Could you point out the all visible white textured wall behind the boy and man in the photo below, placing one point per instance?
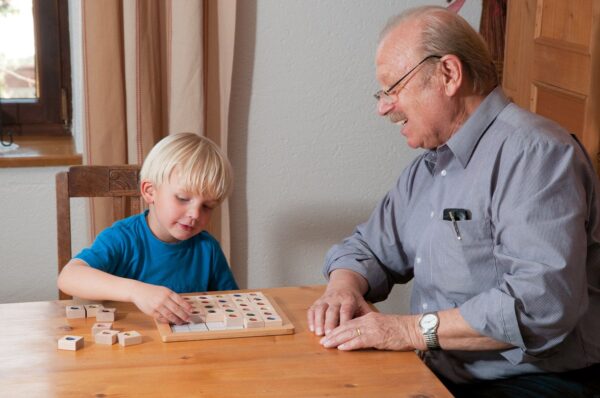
(310, 155)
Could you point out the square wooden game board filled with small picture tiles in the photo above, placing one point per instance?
(223, 316)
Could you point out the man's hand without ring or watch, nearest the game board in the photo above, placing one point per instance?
(342, 301)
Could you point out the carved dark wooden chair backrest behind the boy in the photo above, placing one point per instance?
(118, 182)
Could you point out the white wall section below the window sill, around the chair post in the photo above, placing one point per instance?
(28, 253)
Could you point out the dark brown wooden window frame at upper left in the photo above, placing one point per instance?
(50, 113)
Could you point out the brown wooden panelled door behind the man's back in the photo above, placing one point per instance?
(552, 64)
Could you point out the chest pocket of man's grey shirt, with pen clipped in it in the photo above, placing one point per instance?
(462, 267)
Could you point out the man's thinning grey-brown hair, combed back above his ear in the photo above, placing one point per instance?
(445, 32)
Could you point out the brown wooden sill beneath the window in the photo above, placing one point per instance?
(40, 151)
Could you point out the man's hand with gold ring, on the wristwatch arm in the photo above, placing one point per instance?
(375, 330)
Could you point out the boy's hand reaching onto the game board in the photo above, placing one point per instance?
(161, 303)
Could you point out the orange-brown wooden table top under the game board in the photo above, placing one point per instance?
(270, 366)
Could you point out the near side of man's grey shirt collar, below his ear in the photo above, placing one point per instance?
(463, 142)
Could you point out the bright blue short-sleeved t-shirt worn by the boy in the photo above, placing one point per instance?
(129, 249)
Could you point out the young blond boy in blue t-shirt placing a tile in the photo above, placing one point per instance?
(147, 258)
